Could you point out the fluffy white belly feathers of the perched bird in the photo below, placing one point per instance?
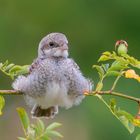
(56, 95)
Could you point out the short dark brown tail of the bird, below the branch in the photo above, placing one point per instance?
(50, 112)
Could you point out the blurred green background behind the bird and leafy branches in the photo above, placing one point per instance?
(92, 26)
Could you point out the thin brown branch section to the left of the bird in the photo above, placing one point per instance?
(10, 92)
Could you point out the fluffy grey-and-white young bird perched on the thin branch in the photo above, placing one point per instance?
(54, 79)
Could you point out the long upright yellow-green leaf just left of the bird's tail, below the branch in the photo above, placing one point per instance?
(24, 118)
